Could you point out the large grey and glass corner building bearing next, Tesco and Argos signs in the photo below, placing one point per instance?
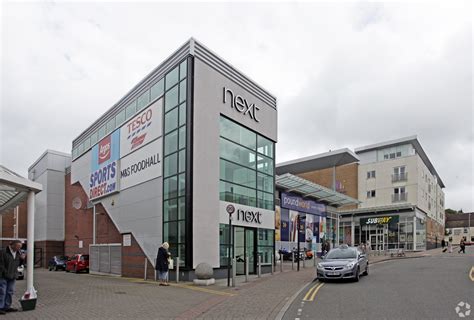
(189, 145)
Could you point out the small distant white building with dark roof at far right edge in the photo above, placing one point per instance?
(460, 226)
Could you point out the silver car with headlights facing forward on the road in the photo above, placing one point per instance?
(343, 262)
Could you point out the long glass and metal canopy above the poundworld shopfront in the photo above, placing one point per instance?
(292, 183)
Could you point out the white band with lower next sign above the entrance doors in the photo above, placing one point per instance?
(246, 216)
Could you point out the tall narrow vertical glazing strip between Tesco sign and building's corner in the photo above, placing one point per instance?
(174, 160)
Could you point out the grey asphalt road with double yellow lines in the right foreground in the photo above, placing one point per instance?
(418, 288)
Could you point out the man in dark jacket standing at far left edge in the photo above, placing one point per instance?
(10, 259)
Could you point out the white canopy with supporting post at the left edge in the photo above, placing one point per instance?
(13, 190)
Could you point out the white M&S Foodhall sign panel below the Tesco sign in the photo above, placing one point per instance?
(142, 165)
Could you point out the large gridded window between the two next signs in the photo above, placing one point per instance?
(246, 166)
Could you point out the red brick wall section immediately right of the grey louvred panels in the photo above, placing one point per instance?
(133, 262)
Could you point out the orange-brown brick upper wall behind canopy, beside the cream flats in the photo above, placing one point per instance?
(346, 176)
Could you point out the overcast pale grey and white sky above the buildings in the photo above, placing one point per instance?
(346, 74)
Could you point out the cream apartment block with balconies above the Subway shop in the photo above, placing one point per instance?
(402, 198)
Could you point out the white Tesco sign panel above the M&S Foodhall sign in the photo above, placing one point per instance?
(143, 128)
